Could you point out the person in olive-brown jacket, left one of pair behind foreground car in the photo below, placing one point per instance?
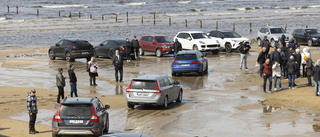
(60, 81)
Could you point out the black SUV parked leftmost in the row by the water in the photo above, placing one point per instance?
(71, 49)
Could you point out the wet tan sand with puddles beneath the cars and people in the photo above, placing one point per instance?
(226, 102)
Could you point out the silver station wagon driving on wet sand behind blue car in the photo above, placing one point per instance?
(157, 90)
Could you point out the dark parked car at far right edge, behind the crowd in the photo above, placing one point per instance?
(307, 36)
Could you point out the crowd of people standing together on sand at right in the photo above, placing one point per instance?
(286, 61)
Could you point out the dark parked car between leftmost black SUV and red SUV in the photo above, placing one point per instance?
(108, 48)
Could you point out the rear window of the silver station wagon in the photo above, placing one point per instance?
(143, 84)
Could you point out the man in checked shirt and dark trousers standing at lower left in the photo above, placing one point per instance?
(32, 111)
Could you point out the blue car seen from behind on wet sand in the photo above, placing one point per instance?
(189, 61)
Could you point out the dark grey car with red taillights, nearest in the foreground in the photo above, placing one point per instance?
(80, 116)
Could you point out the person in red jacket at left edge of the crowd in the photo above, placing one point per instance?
(267, 71)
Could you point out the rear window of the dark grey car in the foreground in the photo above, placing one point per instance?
(76, 110)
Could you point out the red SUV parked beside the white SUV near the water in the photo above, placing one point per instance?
(160, 45)
